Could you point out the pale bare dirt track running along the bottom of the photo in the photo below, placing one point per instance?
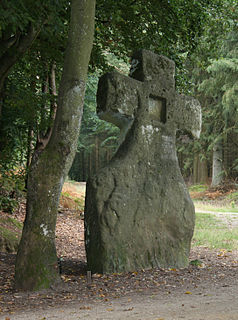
(204, 303)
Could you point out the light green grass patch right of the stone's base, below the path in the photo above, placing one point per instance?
(213, 233)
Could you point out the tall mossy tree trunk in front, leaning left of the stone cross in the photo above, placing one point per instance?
(36, 263)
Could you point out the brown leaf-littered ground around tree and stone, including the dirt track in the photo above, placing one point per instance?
(207, 291)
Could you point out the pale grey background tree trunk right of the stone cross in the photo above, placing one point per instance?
(217, 164)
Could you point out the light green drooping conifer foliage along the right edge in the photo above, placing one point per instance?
(220, 88)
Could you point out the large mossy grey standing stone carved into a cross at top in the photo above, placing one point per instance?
(138, 211)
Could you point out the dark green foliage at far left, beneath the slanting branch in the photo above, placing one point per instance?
(26, 110)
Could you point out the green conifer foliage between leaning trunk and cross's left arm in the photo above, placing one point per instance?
(96, 137)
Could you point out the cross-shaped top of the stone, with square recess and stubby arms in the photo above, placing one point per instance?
(151, 84)
